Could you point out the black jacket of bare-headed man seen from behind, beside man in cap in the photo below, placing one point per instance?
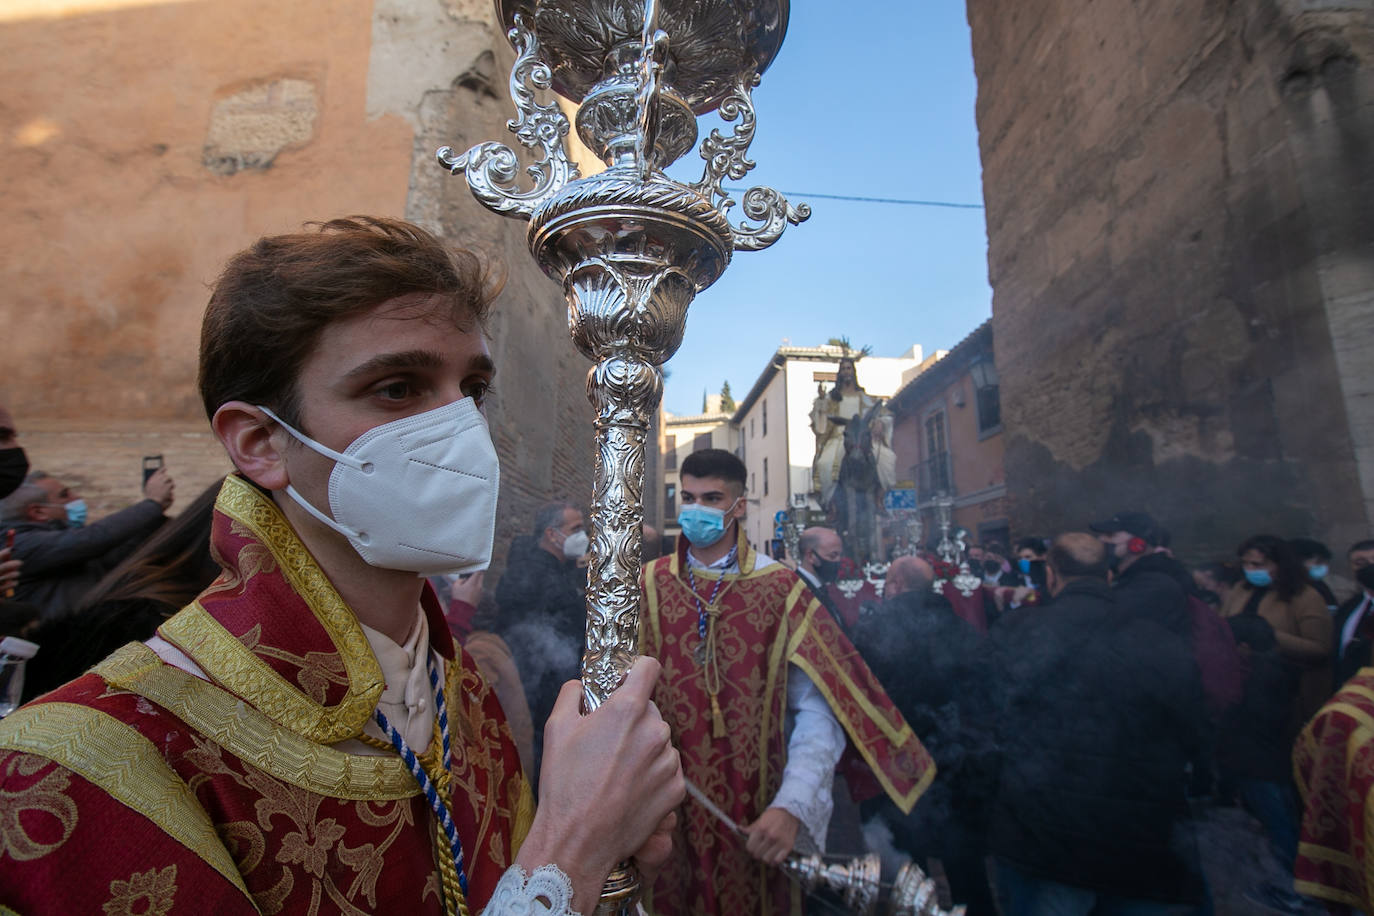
(1100, 716)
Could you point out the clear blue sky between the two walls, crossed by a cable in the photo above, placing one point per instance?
(875, 105)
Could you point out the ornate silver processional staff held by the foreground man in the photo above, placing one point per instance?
(630, 245)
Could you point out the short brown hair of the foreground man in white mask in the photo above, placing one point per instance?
(274, 300)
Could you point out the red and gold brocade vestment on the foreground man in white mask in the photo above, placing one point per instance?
(144, 789)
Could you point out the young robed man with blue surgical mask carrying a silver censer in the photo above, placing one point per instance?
(745, 649)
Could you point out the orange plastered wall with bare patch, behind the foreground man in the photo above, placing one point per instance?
(144, 145)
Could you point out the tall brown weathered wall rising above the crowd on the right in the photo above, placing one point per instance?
(1181, 259)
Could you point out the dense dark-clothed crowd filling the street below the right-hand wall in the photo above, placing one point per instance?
(1094, 700)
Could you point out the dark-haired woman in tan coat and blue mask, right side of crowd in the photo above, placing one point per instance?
(1277, 587)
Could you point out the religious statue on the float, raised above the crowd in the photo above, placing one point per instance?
(855, 463)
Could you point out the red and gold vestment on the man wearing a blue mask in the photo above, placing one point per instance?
(765, 621)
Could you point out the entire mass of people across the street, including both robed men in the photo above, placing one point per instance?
(313, 676)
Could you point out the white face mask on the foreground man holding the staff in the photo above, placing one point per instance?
(417, 494)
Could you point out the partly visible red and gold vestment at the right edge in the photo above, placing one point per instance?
(1333, 764)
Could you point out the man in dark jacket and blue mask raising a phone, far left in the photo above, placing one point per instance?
(63, 556)
